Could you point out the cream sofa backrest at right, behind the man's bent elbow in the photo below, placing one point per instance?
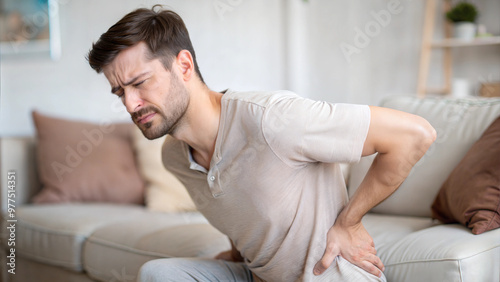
(459, 123)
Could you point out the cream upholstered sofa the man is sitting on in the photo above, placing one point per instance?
(90, 241)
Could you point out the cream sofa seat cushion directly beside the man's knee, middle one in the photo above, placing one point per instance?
(119, 250)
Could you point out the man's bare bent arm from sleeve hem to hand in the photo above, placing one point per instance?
(400, 139)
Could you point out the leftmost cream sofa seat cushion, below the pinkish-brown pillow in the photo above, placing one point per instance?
(54, 234)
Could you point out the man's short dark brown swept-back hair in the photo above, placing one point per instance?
(163, 31)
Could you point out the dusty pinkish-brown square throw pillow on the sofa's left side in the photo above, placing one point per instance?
(84, 162)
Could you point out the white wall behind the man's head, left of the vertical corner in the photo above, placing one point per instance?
(246, 38)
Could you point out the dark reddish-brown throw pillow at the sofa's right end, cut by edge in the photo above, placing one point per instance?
(471, 194)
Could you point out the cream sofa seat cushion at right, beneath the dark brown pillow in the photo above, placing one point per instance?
(413, 249)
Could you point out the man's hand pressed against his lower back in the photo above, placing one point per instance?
(352, 243)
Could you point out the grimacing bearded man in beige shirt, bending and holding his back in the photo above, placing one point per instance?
(262, 167)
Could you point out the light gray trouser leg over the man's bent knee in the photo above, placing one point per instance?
(193, 269)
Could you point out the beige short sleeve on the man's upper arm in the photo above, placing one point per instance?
(300, 130)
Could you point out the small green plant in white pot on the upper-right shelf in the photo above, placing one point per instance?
(463, 15)
